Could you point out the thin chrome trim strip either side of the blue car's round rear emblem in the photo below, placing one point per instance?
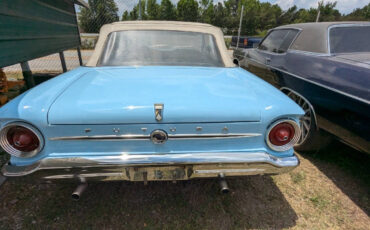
(147, 137)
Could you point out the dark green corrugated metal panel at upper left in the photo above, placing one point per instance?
(33, 29)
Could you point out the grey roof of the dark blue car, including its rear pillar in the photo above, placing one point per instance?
(314, 36)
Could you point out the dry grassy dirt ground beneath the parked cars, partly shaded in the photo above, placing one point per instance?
(329, 190)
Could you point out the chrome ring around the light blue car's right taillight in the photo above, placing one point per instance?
(291, 143)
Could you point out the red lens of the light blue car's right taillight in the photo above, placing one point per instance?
(281, 134)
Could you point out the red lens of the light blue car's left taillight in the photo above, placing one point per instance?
(22, 139)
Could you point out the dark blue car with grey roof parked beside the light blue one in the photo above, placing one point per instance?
(325, 68)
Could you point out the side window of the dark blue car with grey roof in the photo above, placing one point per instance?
(278, 41)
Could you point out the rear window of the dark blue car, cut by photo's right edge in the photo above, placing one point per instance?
(349, 39)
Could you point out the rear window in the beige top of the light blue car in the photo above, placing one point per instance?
(161, 48)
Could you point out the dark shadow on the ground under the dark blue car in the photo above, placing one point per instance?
(353, 176)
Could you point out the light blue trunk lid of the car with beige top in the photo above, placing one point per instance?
(119, 95)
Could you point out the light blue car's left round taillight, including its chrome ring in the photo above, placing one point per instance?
(21, 139)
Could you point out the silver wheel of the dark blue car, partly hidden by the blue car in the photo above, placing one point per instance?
(306, 118)
